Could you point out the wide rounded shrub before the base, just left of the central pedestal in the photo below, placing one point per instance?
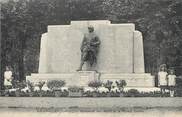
(55, 84)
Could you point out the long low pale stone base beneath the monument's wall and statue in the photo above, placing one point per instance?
(82, 78)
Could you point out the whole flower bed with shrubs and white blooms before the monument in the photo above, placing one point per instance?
(55, 88)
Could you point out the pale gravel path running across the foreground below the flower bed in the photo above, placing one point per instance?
(89, 103)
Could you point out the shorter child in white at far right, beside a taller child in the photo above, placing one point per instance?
(171, 82)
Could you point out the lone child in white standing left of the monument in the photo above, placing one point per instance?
(8, 77)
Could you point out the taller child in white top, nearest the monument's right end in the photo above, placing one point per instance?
(162, 78)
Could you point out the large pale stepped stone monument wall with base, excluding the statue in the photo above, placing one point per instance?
(120, 54)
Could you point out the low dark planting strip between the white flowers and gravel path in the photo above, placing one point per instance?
(58, 93)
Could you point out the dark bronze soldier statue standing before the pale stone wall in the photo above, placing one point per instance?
(89, 48)
